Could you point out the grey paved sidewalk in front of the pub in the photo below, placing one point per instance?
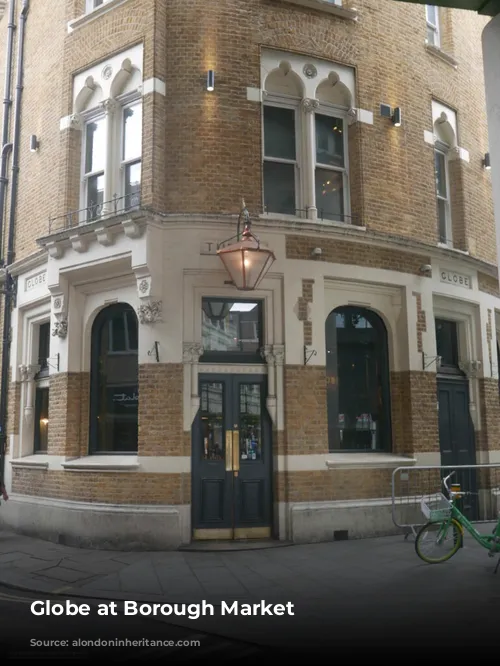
(339, 585)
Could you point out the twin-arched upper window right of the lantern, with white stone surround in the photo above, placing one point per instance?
(305, 147)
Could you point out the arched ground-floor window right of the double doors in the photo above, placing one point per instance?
(357, 369)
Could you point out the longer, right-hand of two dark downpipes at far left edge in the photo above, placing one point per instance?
(10, 282)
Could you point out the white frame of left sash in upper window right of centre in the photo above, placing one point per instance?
(293, 103)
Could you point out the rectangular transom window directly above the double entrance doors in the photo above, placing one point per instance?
(231, 327)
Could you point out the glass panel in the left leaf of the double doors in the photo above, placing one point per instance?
(212, 421)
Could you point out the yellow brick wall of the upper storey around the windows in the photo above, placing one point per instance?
(202, 152)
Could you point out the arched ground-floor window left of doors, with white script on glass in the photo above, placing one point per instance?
(114, 394)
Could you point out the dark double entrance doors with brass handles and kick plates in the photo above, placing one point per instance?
(231, 449)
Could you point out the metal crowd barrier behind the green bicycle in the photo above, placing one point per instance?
(410, 484)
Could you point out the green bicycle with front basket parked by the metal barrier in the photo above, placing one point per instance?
(446, 526)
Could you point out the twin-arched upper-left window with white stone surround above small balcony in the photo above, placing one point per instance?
(107, 107)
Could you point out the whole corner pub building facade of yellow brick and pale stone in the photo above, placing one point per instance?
(151, 403)
